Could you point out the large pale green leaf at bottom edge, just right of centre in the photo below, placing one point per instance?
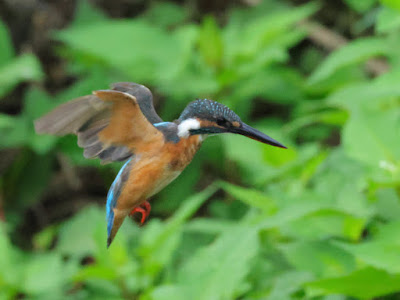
(225, 263)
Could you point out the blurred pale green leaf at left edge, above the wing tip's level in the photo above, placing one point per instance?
(23, 68)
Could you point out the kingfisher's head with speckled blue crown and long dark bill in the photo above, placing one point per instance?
(209, 117)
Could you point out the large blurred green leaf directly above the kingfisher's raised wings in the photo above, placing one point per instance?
(132, 47)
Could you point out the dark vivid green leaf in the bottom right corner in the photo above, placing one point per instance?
(365, 284)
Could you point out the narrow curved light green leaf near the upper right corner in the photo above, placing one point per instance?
(353, 53)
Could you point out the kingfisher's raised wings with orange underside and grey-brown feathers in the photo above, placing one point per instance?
(111, 124)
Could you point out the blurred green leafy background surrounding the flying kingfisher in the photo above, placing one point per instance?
(320, 220)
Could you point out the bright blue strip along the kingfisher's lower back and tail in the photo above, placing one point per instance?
(113, 195)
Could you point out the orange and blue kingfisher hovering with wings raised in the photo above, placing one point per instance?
(120, 124)
